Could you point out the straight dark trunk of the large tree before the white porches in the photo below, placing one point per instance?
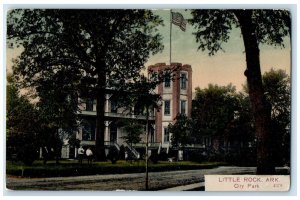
(100, 127)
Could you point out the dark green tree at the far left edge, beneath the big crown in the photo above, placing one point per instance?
(21, 125)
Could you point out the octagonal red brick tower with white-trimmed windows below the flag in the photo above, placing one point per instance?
(176, 94)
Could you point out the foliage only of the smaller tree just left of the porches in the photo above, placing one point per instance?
(58, 105)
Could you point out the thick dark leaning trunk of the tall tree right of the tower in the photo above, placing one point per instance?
(261, 109)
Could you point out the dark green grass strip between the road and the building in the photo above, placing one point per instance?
(73, 168)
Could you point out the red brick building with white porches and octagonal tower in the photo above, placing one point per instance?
(176, 94)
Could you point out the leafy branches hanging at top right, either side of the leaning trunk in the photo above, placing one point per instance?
(214, 27)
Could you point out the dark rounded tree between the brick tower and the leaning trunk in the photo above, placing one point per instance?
(223, 122)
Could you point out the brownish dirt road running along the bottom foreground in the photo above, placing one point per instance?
(135, 182)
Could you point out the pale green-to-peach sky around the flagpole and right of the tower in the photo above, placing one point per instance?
(222, 68)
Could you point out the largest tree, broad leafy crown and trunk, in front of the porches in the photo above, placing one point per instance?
(96, 49)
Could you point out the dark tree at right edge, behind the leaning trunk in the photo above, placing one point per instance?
(278, 94)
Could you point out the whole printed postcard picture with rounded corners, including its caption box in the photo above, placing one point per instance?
(148, 99)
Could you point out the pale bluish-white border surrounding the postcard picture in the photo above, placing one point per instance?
(7, 4)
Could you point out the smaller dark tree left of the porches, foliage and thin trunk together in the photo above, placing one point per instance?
(58, 108)
